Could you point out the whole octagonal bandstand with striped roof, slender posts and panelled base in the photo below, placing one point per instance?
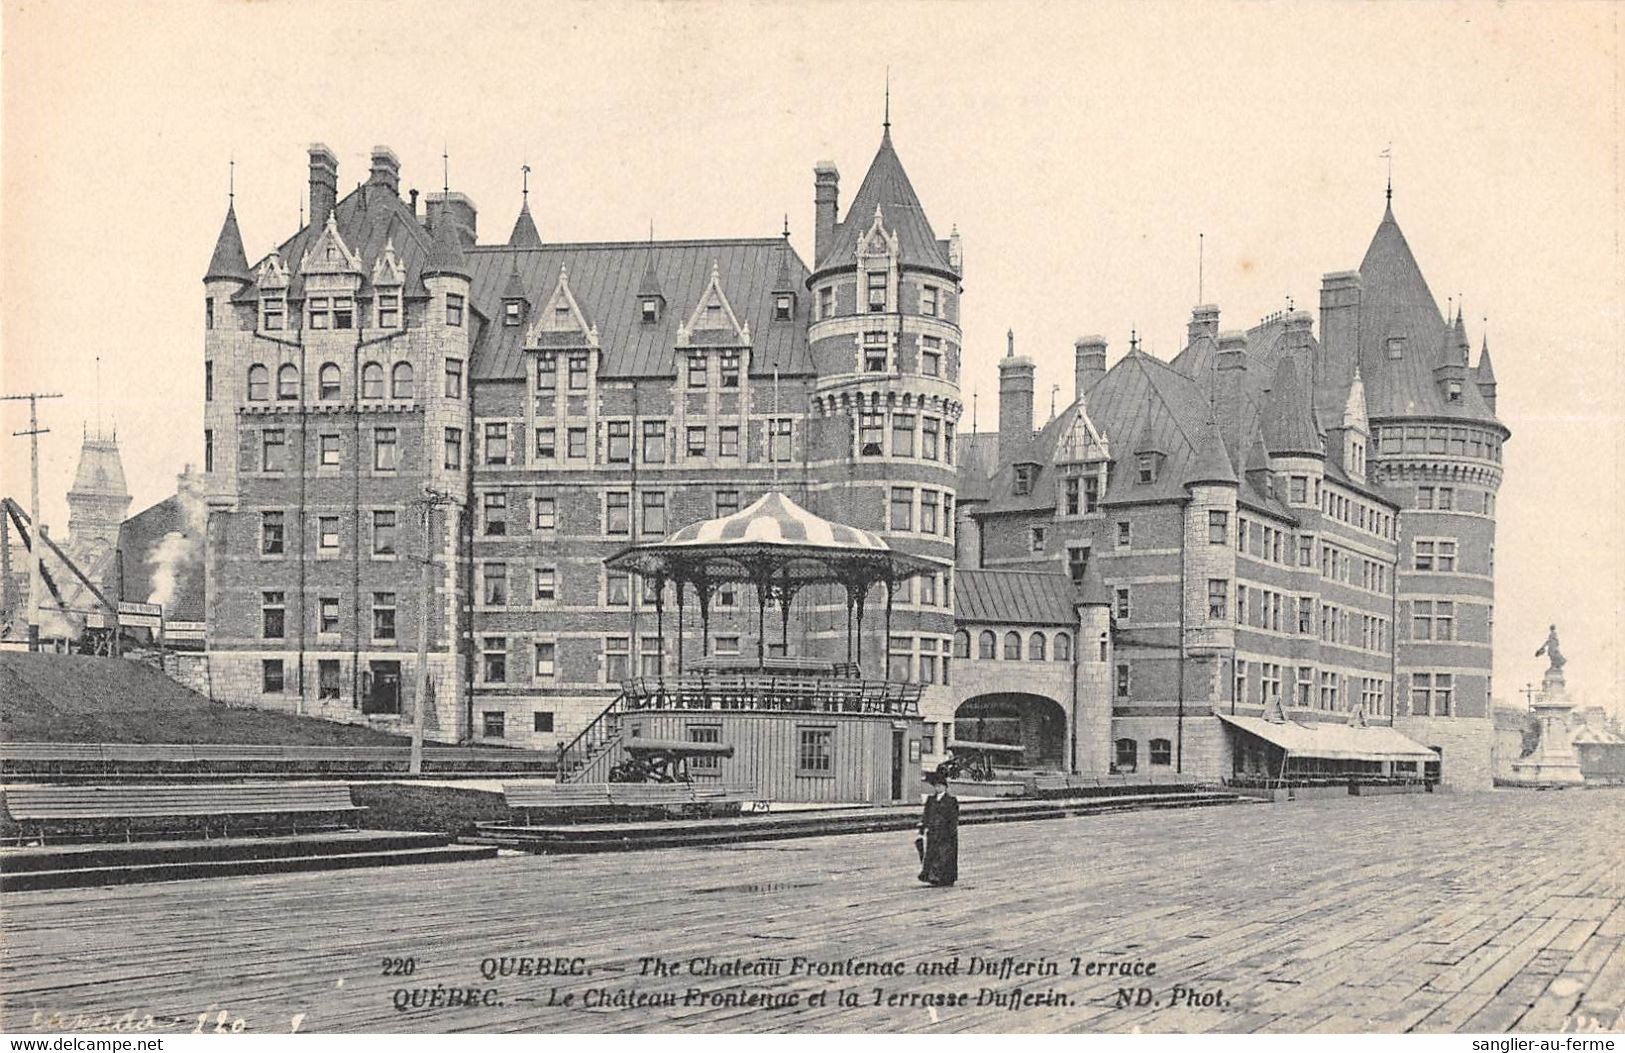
(800, 727)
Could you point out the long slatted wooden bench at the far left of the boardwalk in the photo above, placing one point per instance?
(149, 805)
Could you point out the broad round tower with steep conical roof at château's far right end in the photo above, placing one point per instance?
(1436, 446)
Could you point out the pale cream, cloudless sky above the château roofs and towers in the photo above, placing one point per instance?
(1080, 149)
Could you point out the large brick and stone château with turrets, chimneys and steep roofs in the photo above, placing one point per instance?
(1268, 524)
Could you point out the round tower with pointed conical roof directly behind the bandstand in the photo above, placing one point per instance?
(886, 345)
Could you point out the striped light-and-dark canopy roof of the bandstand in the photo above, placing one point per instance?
(773, 540)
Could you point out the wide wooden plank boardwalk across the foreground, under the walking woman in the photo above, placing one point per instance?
(1489, 912)
